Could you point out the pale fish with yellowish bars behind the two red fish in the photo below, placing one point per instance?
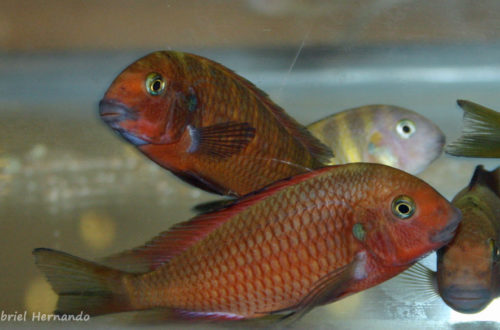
(384, 134)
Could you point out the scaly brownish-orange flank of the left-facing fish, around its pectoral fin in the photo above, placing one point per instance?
(234, 93)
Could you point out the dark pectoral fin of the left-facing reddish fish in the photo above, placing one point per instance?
(221, 140)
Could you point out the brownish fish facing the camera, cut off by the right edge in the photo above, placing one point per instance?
(468, 268)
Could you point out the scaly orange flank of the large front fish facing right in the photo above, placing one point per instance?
(225, 252)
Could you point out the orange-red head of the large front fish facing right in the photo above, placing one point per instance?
(404, 219)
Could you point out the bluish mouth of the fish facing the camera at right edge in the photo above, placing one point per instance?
(468, 300)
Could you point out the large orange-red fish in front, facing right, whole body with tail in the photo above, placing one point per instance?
(299, 243)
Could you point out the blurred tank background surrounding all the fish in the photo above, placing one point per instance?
(67, 182)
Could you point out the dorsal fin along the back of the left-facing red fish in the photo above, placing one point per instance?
(320, 152)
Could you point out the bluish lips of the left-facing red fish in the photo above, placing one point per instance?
(113, 113)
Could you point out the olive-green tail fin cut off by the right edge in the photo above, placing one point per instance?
(480, 134)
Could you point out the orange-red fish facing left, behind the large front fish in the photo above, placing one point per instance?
(208, 125)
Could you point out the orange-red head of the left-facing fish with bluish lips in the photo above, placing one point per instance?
(148, 103)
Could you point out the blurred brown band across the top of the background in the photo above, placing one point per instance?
(59, 25)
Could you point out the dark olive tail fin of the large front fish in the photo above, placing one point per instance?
(82, 286)
